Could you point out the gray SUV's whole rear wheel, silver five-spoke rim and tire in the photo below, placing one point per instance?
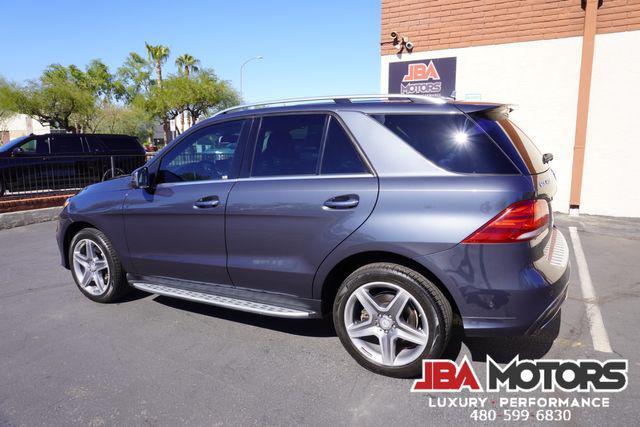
(389, 318)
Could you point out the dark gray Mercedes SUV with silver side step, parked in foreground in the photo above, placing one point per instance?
(389, 214)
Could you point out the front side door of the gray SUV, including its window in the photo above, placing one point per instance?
(177, 230)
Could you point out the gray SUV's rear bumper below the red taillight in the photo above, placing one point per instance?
(505, 289)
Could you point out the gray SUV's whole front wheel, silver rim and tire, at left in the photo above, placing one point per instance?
(96, 268)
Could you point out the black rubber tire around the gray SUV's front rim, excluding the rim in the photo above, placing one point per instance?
(116, 286)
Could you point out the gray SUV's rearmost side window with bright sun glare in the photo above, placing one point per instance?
(451, 141)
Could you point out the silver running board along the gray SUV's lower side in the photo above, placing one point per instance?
(220, 301)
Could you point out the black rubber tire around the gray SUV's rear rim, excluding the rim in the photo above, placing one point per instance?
(438, 314)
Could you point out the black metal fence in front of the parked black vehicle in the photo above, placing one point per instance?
(30, 176)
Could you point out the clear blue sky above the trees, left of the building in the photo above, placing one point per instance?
(320, 47)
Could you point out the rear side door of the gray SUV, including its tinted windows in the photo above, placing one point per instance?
(305, 188)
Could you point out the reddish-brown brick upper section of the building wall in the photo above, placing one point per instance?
(444, 24)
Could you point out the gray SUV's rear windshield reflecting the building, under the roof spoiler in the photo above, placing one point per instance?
(515, 143)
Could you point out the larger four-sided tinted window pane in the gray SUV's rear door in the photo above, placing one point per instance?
(288, 145)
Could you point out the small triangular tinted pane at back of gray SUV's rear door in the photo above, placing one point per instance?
(340, 156)
